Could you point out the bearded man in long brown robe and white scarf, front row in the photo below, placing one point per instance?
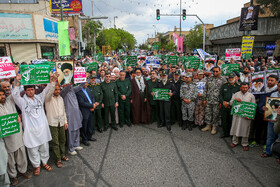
(139, 99)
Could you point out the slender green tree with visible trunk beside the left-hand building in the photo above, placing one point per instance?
(91, 29)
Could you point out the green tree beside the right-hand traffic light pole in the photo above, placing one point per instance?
(194, 39)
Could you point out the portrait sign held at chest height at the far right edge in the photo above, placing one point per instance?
(272, 104)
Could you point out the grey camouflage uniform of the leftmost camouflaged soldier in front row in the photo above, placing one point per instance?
(188, 91)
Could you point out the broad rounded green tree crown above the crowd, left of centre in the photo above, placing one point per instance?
(116, 38)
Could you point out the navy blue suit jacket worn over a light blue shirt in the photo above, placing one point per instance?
(84, 103)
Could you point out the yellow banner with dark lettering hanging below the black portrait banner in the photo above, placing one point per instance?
(247, 47)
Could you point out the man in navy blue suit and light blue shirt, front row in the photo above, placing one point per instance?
(87, 105)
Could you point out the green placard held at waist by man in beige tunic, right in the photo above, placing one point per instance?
(244, 109)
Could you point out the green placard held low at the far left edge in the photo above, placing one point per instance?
(9, 125)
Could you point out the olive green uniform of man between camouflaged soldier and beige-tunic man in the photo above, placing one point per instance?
(226, 92)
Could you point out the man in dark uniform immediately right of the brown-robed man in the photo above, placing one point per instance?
(152, 83)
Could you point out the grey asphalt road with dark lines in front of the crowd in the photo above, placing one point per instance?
(145, 155)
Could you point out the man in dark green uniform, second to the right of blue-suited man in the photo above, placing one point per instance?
(110, 101)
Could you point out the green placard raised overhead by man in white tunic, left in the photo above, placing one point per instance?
(34, 74)
